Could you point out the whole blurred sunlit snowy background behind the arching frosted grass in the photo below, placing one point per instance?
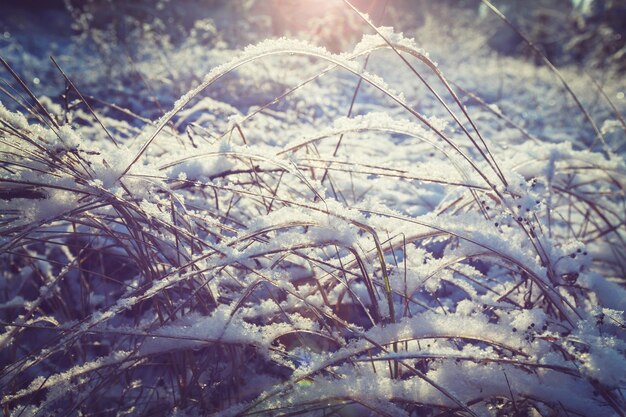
(143, 55)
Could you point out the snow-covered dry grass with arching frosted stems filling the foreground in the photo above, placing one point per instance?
(388, 263)
